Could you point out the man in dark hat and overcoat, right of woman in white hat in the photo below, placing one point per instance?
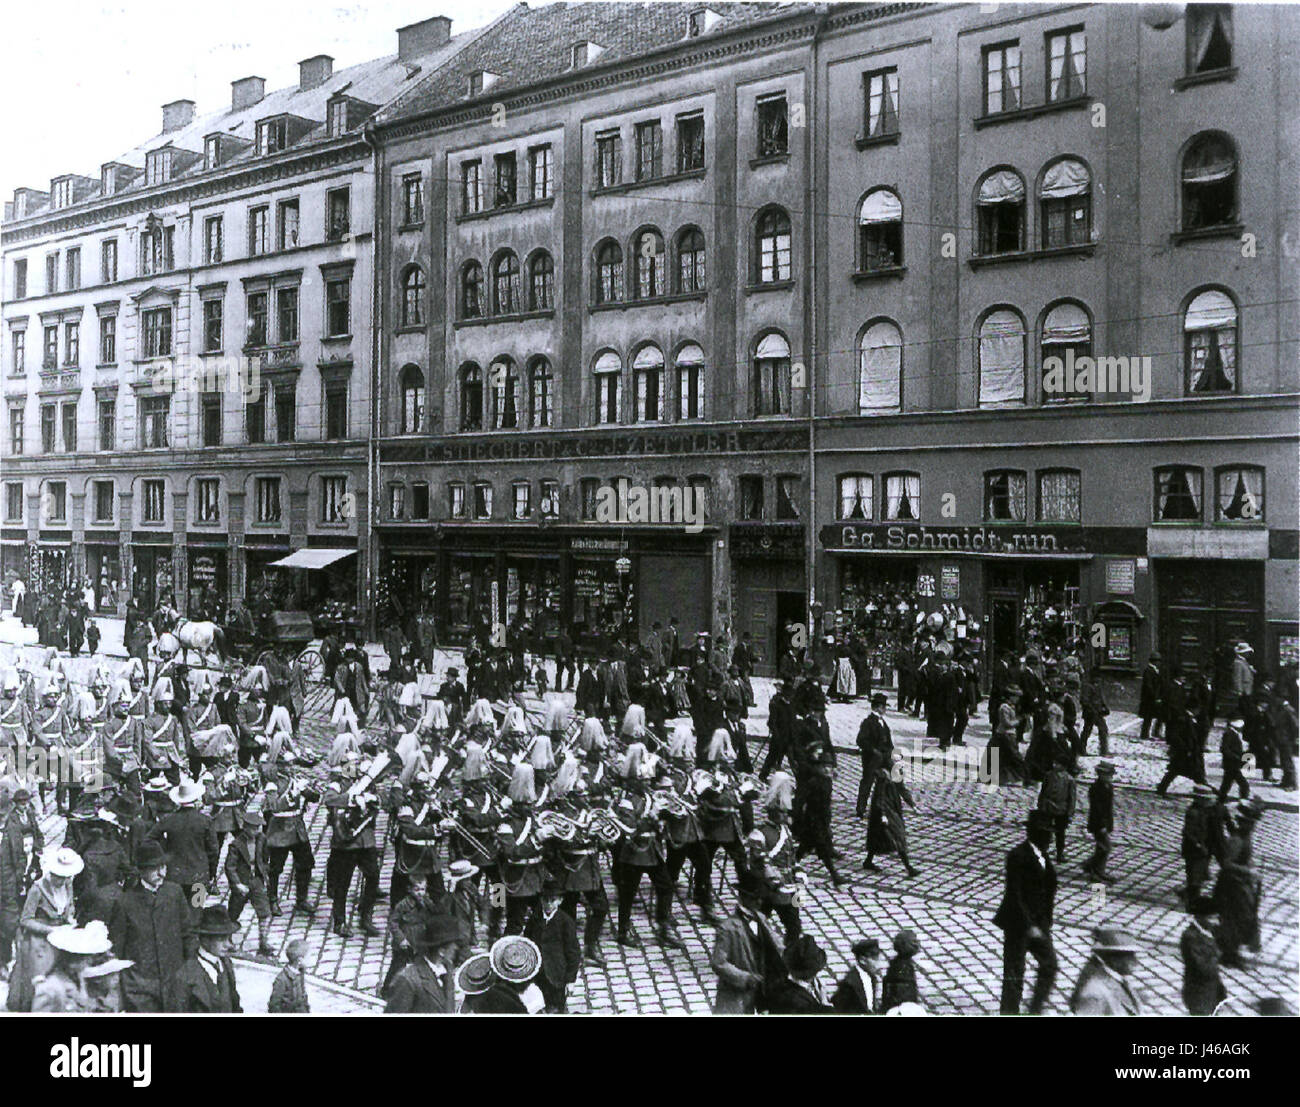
(153, 926)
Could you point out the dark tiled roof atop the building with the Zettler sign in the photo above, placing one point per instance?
(532, 45)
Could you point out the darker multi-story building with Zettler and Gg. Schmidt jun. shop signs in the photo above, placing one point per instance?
(816, 262)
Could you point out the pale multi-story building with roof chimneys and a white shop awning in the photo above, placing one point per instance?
(188, 349)
